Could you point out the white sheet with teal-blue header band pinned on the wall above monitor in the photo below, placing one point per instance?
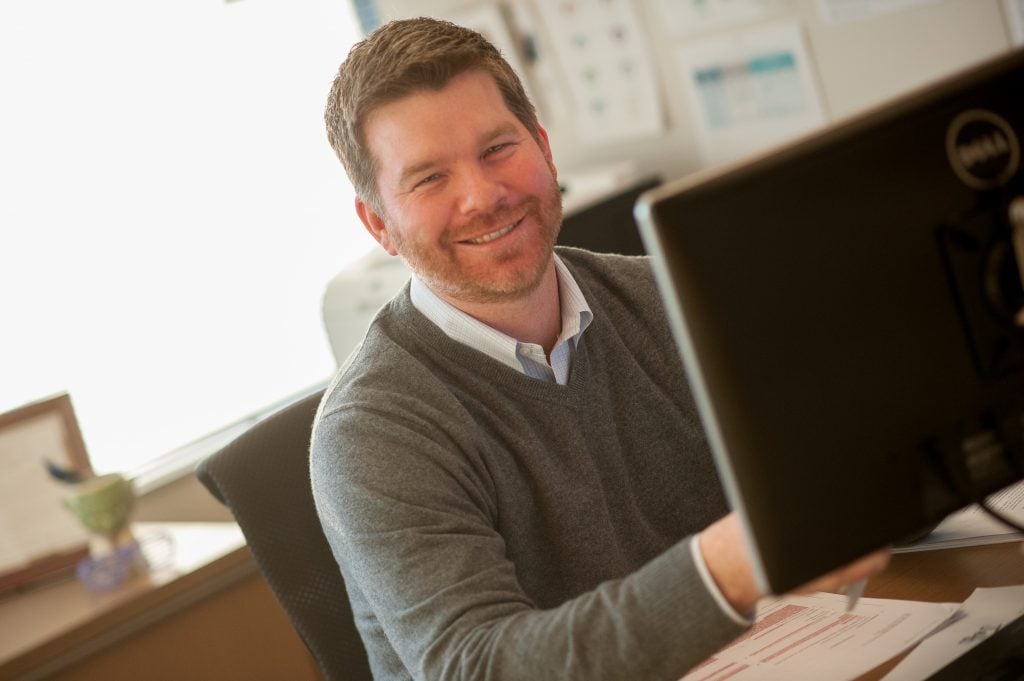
(749, 91)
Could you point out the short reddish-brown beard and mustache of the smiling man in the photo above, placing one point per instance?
(508, 274)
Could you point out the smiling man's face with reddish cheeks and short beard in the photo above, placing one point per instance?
(471, 199)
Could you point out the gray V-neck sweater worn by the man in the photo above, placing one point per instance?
(491, 526)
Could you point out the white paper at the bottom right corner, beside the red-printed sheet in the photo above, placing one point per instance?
(980, 617)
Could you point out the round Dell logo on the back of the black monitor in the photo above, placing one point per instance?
(984, 150)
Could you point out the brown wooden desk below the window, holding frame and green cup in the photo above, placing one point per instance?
(206, 615)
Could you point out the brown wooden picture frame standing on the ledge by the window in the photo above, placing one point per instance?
(38, 536)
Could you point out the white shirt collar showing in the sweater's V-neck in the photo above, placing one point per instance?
(527, 358)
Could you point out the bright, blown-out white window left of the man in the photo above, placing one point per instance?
(172, 212)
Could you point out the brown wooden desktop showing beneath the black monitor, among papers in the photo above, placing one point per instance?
(946, 576)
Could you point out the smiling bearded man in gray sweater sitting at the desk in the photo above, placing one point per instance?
(510, 470)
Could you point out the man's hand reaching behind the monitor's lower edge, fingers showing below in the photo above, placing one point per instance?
(726, 556)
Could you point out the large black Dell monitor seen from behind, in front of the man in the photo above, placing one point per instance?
(849, 312)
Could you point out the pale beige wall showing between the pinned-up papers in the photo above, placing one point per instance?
(859, 64)
